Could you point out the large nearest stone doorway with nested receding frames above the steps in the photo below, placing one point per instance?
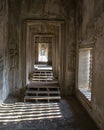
(48, 32)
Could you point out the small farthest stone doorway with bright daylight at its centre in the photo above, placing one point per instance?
(42, 53)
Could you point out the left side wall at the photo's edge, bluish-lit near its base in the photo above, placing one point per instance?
(4, 89)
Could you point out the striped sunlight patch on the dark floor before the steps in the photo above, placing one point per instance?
(25, 111)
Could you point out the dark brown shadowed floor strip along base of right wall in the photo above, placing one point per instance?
(82, 119)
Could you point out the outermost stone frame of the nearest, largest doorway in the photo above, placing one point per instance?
(27, 34)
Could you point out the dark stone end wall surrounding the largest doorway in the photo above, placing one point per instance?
(22, 10)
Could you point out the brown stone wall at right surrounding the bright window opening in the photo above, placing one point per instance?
(90, 32)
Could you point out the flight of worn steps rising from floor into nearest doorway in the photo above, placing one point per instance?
(42, 87)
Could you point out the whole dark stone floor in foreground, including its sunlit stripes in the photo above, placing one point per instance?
(66, 115)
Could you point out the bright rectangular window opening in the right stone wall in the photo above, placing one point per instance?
(85, 72)
